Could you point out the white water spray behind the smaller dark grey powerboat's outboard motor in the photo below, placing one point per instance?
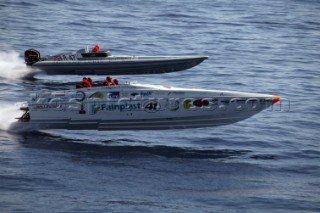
(12, 66)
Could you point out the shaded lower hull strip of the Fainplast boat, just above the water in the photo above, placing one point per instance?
(137, 124)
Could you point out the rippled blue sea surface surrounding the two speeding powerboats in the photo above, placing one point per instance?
(267, 163)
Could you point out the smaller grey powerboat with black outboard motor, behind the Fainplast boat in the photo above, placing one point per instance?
(101, 62)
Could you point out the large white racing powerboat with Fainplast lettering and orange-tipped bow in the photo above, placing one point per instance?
(139, 107)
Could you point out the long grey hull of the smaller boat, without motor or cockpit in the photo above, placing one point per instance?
(118, 66)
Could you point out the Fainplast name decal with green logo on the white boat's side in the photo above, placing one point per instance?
(115, 107)
